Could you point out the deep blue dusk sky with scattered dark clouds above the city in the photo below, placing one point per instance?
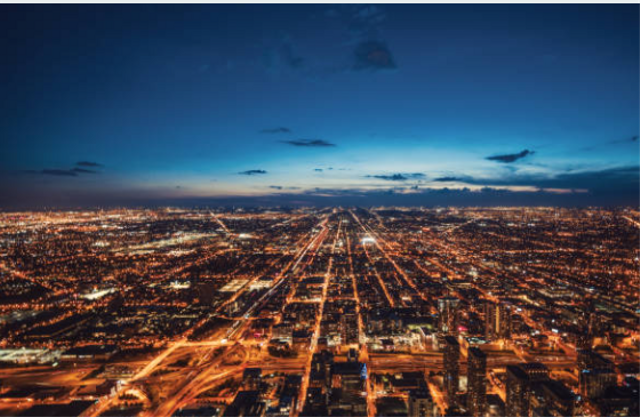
(281, 104)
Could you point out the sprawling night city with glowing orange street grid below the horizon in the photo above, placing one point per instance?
(320, 312)
